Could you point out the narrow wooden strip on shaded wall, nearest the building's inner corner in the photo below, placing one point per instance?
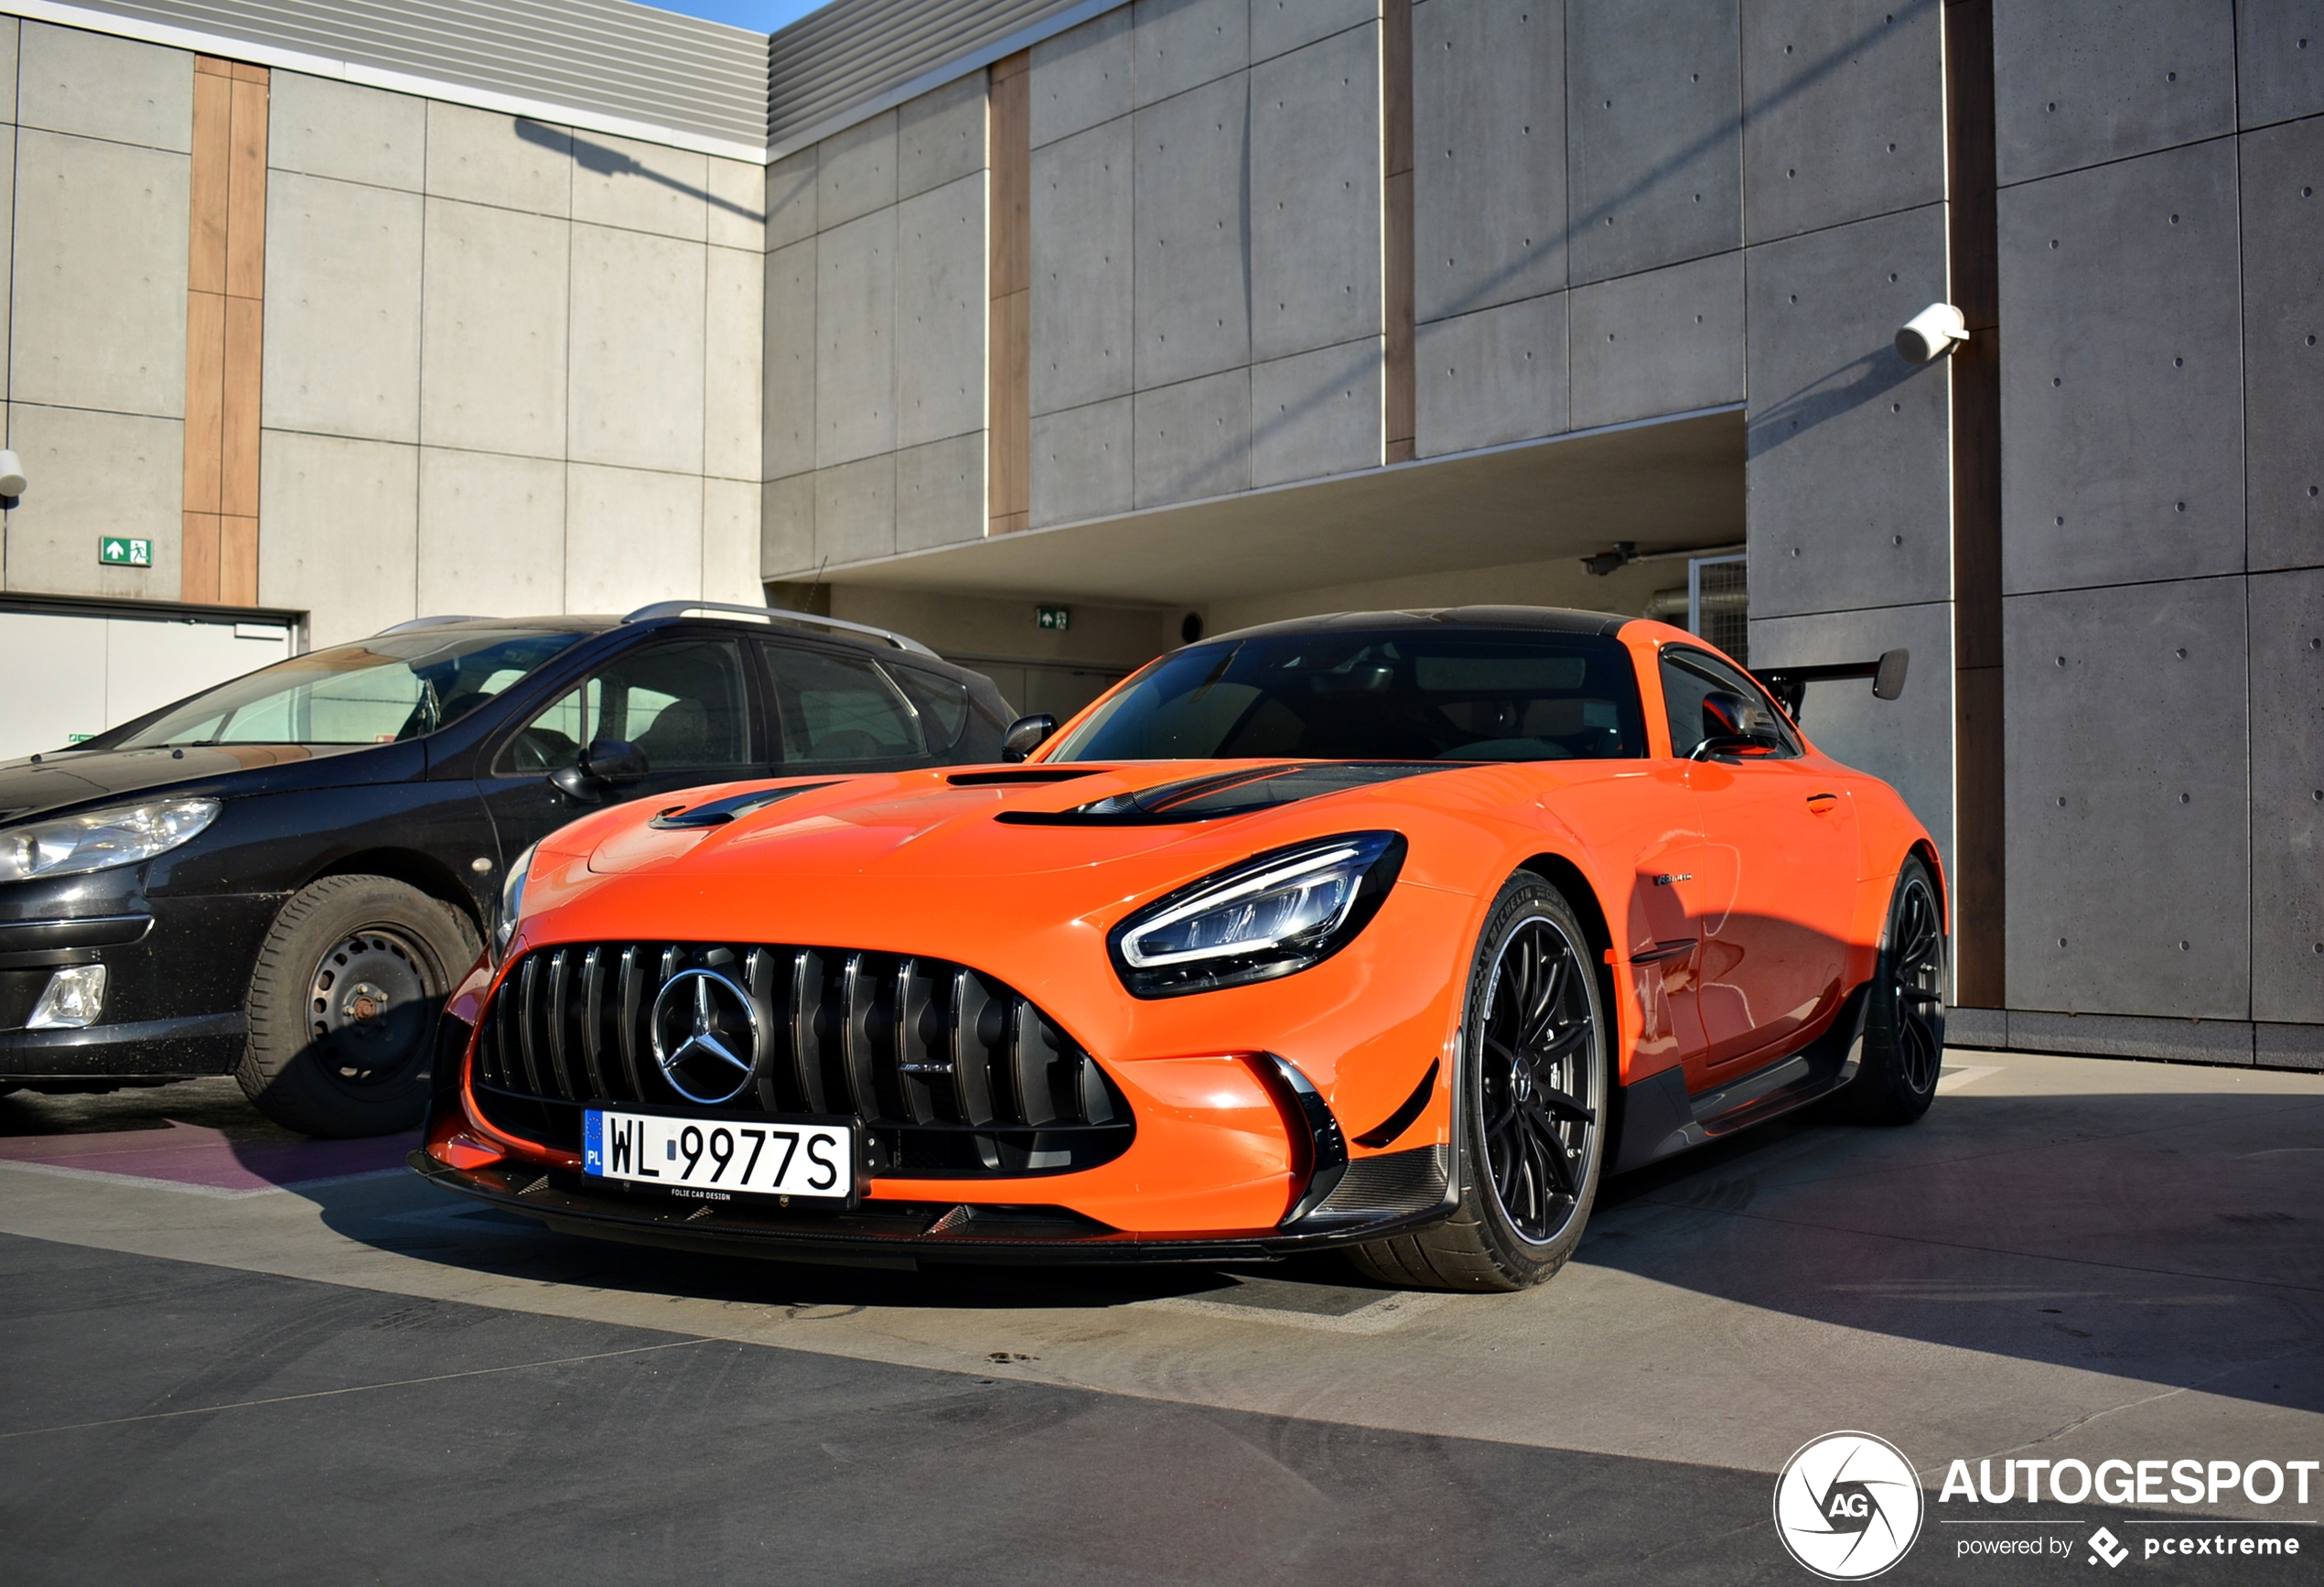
(1010, 329)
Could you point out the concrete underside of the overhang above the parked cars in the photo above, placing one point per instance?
(1667, 484)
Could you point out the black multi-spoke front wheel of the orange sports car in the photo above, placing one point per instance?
(1530, 1096)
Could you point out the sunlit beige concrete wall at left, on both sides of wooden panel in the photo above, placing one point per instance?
(508, 368)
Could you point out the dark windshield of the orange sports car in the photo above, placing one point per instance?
(1377, 696)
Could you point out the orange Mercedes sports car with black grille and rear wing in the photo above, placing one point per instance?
(1386, 933)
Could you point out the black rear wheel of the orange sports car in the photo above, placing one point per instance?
(1905, 1012)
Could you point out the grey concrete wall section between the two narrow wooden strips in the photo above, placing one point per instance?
(1205, 254)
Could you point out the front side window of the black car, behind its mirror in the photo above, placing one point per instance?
(682, 705)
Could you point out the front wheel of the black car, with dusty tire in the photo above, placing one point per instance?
(345, 1003)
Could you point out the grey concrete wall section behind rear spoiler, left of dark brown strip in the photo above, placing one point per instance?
(1849, 459)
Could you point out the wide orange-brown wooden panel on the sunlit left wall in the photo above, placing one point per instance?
(227, 280)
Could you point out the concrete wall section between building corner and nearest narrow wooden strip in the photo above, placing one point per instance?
(875, 333)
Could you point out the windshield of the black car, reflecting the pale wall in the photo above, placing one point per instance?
(380, 691)
